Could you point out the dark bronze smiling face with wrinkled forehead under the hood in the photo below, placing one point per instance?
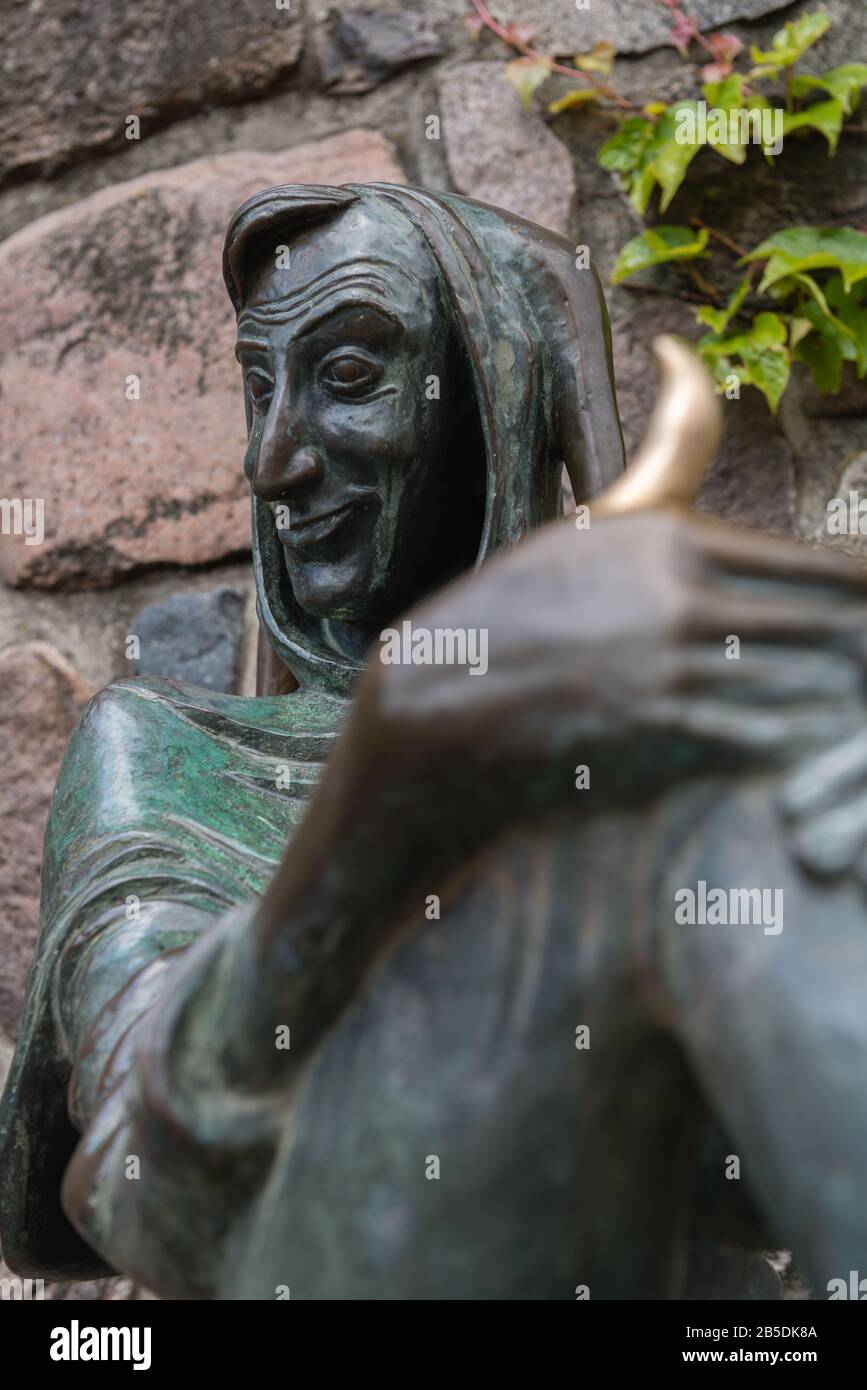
(352, 443)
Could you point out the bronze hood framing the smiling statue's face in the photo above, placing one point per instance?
(537, 336)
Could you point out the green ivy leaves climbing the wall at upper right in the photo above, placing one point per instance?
(804, 291)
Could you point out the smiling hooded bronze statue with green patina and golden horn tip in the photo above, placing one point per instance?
(431, 1027)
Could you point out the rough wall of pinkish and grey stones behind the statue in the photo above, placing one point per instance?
(120, 398)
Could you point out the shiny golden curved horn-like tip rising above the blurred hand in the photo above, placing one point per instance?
(680, 443)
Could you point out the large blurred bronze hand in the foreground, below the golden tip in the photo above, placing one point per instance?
(661, 643)
